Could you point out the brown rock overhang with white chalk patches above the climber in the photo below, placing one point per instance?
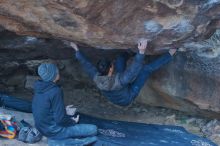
(114, 24)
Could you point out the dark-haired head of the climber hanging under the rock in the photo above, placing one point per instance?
(105, 67)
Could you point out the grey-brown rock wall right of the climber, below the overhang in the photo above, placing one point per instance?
(189, 83)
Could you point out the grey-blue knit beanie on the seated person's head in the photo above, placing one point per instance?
(48, 71)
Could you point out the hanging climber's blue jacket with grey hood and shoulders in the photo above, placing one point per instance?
(115, 87)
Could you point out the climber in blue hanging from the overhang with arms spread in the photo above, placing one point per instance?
(121, 84)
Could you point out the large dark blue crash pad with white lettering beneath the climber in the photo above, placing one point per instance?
(120, 133)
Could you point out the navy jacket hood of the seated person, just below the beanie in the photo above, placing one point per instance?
(42, 86)
